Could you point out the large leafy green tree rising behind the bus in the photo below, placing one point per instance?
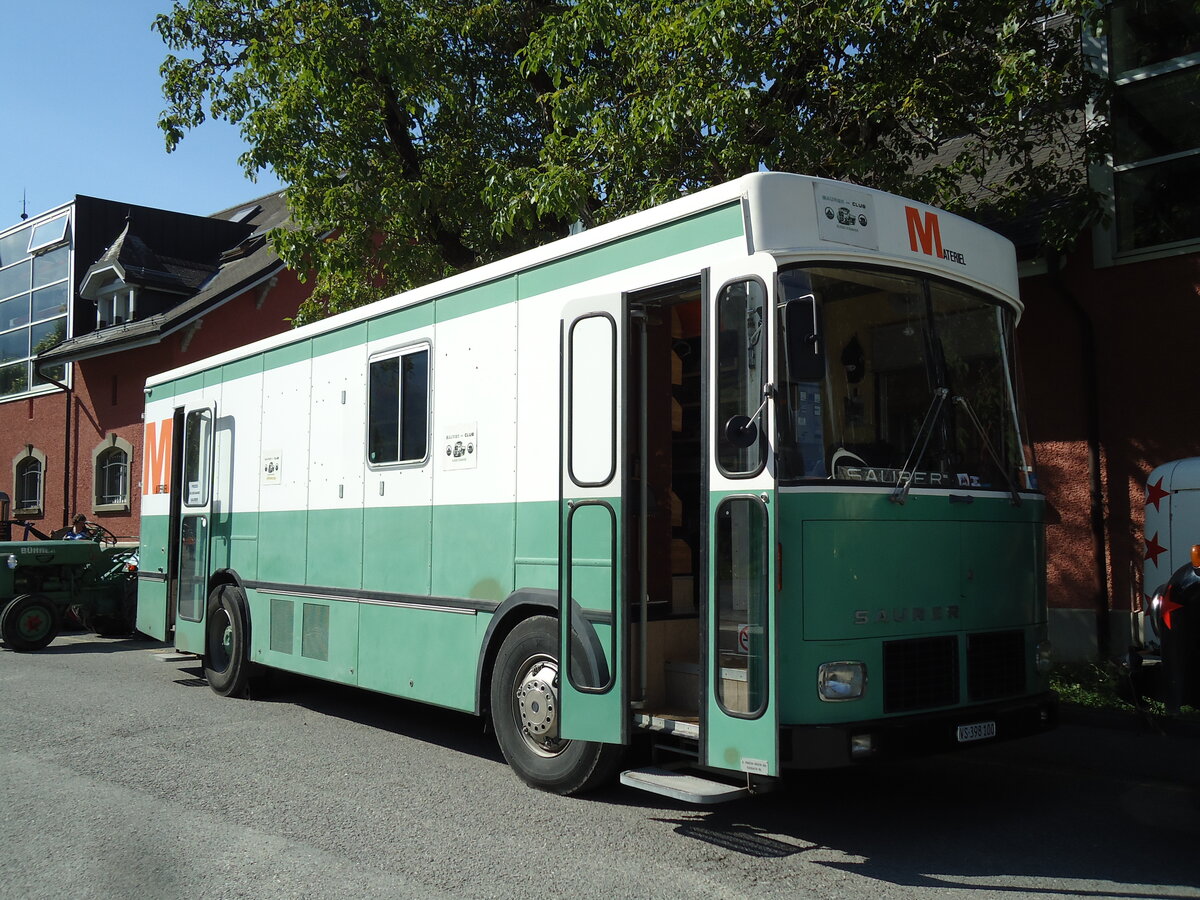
(422, 139)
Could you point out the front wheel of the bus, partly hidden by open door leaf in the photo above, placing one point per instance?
(525, 715)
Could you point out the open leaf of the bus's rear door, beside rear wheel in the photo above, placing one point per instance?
(190, 566)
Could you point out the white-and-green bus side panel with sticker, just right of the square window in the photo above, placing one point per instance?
(475, 493)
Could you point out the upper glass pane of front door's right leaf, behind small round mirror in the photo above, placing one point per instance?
(741, 371)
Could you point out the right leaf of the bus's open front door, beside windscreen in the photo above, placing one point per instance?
(740, 721)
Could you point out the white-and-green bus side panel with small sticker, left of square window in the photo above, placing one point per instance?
(284, 459)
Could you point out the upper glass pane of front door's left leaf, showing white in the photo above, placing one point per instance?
(593, 394)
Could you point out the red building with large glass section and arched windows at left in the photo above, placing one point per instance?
(94, 297)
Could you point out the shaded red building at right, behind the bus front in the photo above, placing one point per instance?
(1109, 332)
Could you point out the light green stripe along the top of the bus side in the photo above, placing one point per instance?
(681, 237)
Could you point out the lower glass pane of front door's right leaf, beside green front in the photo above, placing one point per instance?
(741, 591)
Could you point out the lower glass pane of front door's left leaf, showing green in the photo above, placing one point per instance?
(591, 530)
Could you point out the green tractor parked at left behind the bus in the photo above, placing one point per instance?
(49, 580)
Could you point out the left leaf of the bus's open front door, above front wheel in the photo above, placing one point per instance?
(593, 633)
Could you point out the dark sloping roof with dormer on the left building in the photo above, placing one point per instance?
(239, 262)
